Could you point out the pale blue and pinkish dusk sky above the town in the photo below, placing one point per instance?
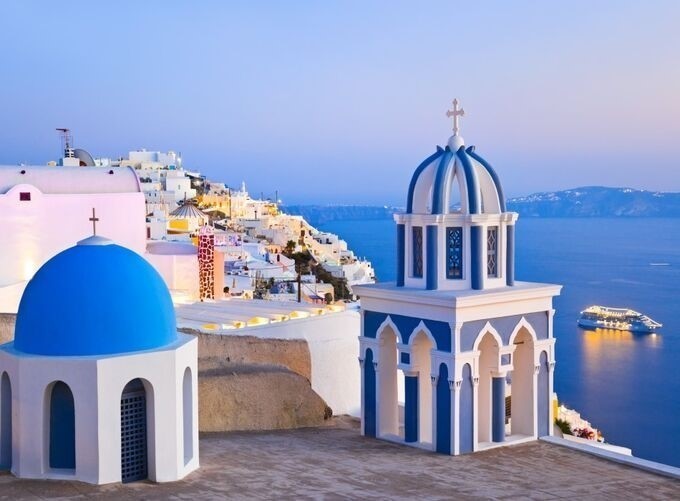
(338, 102)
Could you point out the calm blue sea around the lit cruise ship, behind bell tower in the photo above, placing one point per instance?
(627, 385)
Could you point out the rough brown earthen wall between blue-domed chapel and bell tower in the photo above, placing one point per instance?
(250, 383)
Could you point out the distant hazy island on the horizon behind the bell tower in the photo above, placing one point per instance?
(589, 201)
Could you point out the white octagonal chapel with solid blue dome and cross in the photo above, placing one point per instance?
(98, 385)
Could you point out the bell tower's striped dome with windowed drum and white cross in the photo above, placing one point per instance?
(456, 233)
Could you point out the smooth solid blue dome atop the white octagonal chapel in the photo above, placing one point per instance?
(96, 298)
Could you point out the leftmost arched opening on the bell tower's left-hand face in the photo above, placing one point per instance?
(388, 405)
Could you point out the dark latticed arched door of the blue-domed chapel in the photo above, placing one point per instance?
(133, 432)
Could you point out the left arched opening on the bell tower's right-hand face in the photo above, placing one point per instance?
(488, 363)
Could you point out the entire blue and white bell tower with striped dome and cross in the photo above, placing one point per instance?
(456, 356)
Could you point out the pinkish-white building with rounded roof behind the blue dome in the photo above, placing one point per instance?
(46, 209)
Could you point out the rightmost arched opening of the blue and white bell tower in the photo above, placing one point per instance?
(522, 410)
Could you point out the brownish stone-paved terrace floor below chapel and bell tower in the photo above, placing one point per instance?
(335, 462)
